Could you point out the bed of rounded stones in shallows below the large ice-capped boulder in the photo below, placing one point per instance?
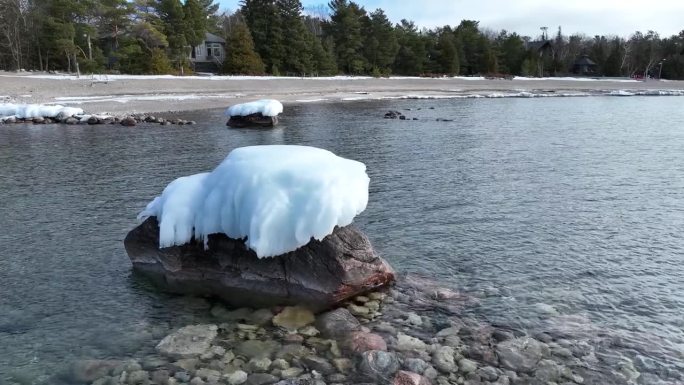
(408, 334)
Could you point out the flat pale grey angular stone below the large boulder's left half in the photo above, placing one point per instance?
(188, 341)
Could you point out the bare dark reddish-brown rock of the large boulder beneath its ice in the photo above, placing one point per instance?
(318, 275)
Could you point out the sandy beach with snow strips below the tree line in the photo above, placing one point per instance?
(121, 94)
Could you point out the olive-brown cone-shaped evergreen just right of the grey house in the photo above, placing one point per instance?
(241, 58)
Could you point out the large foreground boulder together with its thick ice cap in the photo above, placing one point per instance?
(209, 233)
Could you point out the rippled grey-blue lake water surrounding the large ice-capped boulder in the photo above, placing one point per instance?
(559, 215)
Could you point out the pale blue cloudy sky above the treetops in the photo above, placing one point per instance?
(592, 17)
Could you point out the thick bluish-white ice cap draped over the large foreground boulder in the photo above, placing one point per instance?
(278, 197)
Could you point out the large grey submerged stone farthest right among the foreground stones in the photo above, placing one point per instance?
(520, 354)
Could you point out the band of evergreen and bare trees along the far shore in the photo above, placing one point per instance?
(279, 37)
